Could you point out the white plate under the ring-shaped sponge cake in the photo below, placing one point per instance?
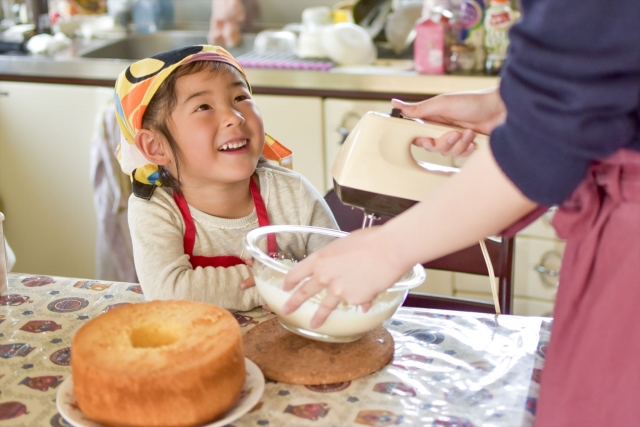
(250, 395)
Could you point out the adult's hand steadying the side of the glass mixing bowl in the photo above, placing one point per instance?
(354, 269)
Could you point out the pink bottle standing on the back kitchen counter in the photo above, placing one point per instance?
(428, 47)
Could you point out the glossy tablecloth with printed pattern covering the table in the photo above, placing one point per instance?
(449, 369)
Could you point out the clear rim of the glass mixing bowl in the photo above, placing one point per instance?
(251, 238)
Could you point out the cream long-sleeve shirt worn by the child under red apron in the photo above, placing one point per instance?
(157, 230)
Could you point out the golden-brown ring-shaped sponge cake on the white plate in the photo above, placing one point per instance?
(159, 363)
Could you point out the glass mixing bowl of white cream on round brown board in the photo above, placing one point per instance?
(347, 322)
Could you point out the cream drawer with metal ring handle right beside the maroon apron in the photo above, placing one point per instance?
(536, 267)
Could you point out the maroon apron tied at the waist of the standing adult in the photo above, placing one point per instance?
(591, 375)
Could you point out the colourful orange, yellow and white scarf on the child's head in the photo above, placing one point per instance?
(136, 86)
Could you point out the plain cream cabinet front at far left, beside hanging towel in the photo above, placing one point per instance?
(45, 139)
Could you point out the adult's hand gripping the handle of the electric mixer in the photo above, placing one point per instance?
(475, 111)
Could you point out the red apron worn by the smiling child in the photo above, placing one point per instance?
(224, 260)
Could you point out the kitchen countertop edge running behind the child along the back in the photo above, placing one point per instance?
(69, 67)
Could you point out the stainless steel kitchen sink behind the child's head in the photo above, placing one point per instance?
(139, 46)
